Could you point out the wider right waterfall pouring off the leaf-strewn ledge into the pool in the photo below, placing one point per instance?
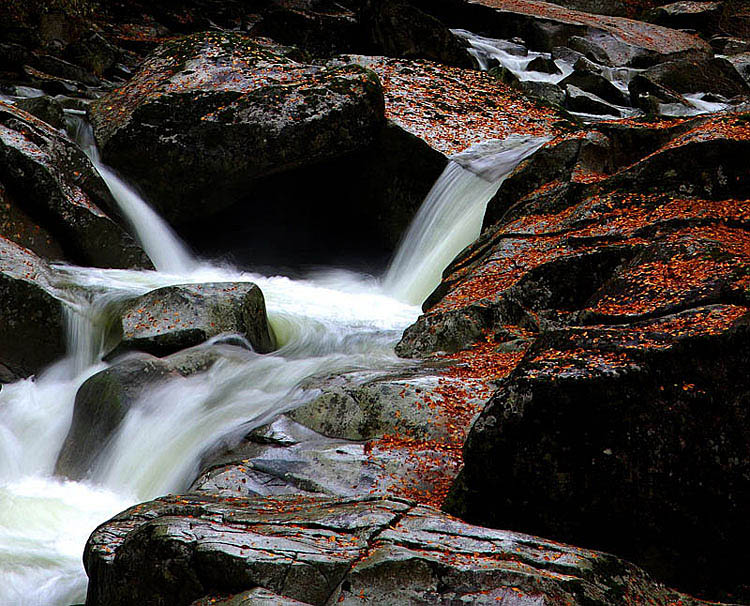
(451, 216)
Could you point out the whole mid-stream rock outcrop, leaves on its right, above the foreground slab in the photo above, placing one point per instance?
(395, 433)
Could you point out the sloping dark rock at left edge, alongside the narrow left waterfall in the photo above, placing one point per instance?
(51, 181)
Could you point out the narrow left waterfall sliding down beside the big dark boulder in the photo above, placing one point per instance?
(165, 249)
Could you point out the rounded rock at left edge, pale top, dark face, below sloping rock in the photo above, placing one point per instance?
(32, 322)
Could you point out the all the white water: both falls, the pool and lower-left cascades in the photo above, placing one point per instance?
(331, 323)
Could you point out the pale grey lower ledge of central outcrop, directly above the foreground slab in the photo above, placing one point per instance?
(286, 458)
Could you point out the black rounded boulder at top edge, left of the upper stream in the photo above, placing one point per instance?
(398, 29)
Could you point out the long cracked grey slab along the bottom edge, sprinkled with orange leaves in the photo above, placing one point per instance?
(184, 549)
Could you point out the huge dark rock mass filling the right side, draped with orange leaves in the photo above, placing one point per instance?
(622, 256)
